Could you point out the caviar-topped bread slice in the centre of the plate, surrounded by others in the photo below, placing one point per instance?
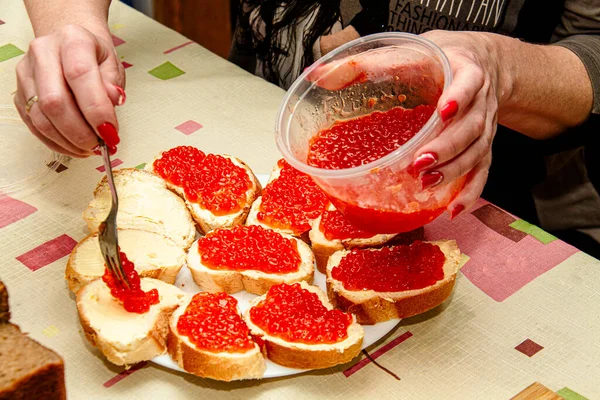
(249, 258)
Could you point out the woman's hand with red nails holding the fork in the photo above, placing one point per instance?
(78, 79)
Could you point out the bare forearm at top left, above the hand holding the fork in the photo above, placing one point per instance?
(47, 16)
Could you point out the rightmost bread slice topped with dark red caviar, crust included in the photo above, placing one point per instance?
(392, 282)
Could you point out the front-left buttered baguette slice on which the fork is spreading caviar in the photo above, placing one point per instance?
(127, 338)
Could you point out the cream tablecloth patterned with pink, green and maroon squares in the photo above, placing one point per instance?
(526, 306)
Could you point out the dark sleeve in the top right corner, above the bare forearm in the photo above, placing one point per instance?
(579, 31)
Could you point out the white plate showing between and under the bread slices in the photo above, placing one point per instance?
(186, 283)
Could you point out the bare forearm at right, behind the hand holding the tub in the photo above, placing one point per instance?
(542, 90)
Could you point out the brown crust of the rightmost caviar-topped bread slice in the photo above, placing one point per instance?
(371, 307)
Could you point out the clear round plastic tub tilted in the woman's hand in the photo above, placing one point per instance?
(382, 196)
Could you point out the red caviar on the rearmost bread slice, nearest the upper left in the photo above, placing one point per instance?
(211, 180)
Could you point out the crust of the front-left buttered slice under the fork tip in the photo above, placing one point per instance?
(153, 344)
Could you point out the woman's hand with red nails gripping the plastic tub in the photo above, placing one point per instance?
(468, 107)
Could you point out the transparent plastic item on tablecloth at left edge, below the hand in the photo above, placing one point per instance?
(25, 163)
